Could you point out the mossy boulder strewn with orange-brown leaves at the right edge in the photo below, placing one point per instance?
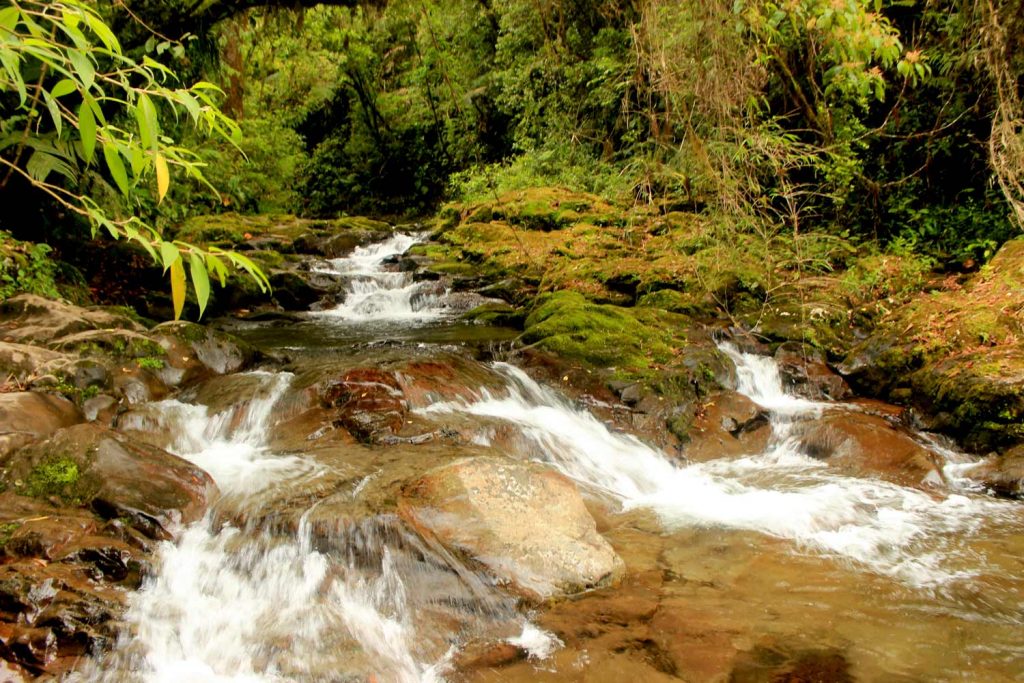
(956, 355)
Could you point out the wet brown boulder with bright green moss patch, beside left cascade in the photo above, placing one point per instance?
(89, 465)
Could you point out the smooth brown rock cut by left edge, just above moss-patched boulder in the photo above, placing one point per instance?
(29, 416)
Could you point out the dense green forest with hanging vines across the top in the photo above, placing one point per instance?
(890, 124)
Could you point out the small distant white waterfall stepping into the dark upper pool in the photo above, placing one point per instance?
(377, 294)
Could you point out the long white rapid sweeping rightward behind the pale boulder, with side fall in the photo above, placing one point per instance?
(908, 534)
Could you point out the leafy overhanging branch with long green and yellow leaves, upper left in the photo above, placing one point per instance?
(73, 98)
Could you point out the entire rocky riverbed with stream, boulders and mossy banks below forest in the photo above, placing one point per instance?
(649, 501)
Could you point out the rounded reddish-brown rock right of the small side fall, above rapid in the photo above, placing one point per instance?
(869, 445)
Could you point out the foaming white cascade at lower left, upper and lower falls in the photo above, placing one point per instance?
(245, 606)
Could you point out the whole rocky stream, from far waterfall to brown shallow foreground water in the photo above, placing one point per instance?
(736, 569)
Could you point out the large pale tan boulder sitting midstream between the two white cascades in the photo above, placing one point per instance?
(526, 524)
